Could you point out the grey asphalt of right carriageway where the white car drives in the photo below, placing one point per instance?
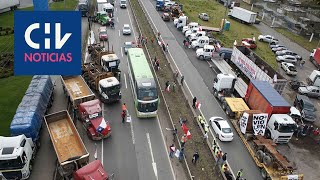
(199, 78)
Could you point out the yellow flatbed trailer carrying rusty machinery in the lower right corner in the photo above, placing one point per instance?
(281, 171)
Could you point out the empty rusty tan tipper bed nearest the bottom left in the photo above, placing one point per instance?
(70, 150)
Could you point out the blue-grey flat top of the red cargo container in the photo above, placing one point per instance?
(269, 93)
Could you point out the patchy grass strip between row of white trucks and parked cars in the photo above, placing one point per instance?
(237, 31)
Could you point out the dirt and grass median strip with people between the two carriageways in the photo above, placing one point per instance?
(178, 107)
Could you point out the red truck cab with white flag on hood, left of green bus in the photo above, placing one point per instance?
(91, 116)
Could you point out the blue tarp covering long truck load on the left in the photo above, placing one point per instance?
(30, 112)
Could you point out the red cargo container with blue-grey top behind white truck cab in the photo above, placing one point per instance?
(261, 96)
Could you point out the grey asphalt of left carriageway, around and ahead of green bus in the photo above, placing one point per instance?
(132, 148)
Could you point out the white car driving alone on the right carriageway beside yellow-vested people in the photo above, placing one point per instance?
(221, 128)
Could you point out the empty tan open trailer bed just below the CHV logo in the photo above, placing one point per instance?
(77, 90)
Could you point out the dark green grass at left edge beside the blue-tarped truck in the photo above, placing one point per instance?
(12, 90)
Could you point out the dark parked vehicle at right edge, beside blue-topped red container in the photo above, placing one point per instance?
(304, 104)
